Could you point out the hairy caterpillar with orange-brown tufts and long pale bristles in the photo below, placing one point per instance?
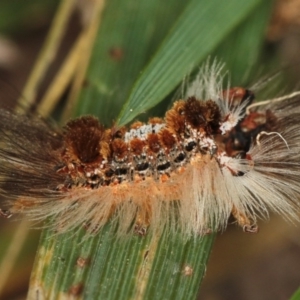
(213, 155)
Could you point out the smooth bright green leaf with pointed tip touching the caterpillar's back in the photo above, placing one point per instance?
(198, 31)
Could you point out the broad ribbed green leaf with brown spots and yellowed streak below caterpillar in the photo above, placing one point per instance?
(110, 268)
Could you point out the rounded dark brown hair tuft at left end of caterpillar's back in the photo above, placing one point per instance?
(83, 137)
